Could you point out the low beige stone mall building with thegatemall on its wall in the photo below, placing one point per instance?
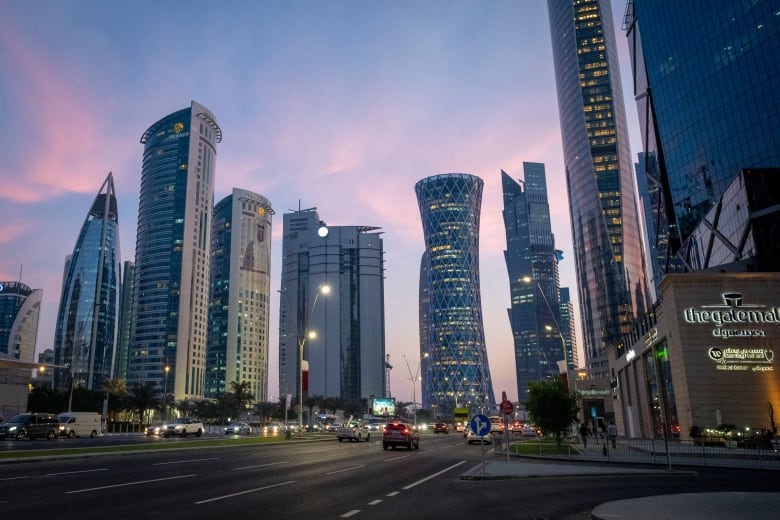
(707, 361)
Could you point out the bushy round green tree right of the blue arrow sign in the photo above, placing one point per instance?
(551, 407)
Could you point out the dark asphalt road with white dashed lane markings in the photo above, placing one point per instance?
(322, 480)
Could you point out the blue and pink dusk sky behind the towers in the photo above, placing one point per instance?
(340, 105)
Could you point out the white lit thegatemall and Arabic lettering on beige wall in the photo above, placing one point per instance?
(731, 321)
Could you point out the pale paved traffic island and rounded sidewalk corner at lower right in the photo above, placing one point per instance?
(713, 506)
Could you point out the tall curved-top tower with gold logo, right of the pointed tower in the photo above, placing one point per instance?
(172, 252)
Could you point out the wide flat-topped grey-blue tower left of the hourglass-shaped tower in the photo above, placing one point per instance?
(331, 312)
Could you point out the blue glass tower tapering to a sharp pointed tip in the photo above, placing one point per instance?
(86, 328)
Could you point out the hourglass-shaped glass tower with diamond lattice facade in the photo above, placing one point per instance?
(455, 370)
